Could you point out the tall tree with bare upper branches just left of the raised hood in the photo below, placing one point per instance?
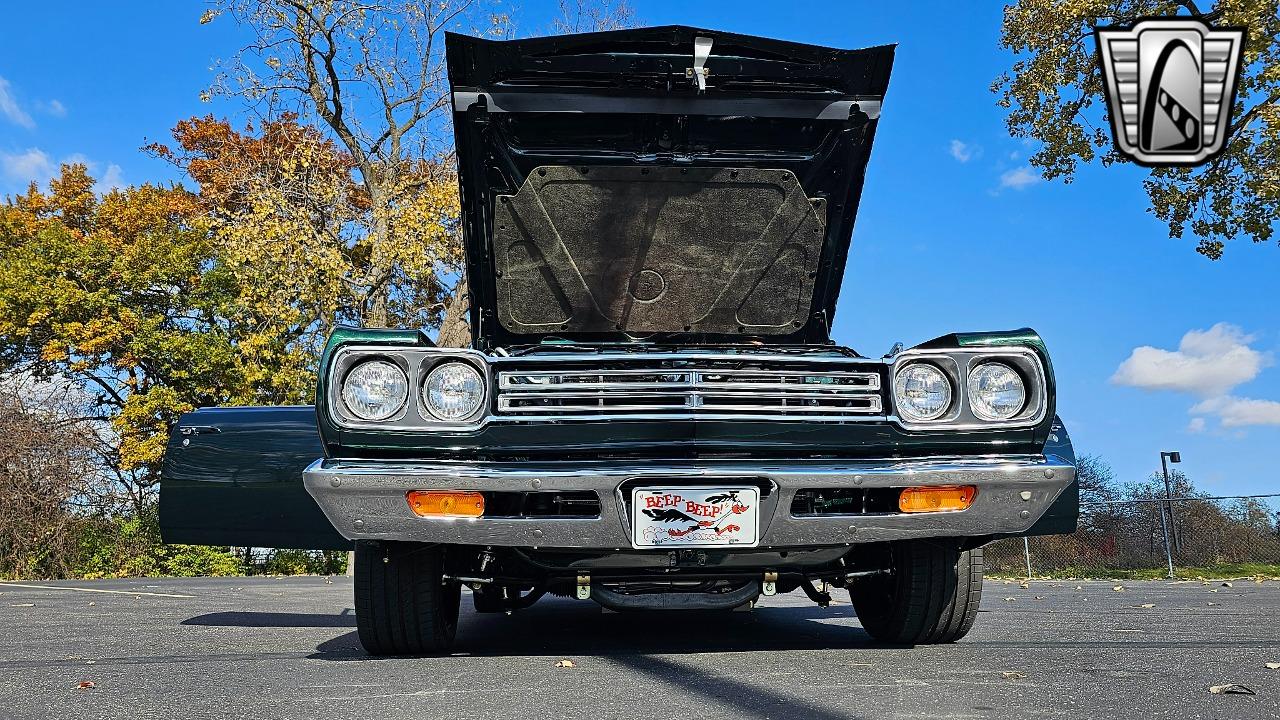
(373, 75)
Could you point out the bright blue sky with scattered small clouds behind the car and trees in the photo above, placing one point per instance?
(954, 234)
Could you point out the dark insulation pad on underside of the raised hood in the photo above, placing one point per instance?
(653, 250)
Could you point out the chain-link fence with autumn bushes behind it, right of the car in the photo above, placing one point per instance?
(1154, 537)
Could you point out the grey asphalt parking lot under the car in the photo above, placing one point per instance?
(286, 648)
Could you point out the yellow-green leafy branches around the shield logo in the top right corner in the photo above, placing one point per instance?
(1054, 94)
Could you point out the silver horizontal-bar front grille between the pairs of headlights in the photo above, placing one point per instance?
(728, 388)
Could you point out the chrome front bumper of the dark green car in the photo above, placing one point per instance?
(365, 499)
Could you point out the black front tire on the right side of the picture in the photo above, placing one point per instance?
(932, 595)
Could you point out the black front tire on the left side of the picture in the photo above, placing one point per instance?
(403, 604)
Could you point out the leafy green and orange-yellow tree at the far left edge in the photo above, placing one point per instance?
(127, 297)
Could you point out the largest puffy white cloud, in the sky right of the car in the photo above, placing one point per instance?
(1208, 363)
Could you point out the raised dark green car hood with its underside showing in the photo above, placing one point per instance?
(668, 185)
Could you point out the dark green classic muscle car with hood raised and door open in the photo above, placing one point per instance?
(652, 413)
